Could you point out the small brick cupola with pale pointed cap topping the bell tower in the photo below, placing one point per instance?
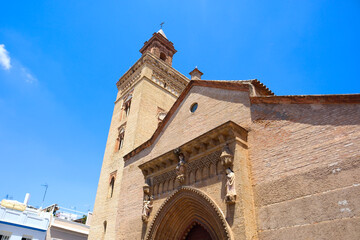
(160, 46)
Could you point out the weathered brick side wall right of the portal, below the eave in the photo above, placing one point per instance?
(305, 164)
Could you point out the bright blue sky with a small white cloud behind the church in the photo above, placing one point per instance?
(60, 60)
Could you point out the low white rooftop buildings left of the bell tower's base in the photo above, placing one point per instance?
(18, 221)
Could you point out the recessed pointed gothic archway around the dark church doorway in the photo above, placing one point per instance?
(185, 208)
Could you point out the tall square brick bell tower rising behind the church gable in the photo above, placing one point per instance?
(146, 92)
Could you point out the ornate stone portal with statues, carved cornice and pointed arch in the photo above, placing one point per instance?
(209, 164)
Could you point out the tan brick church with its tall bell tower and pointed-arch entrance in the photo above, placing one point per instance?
(198, 159)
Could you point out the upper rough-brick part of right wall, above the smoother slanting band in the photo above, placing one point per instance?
(286, 139)
